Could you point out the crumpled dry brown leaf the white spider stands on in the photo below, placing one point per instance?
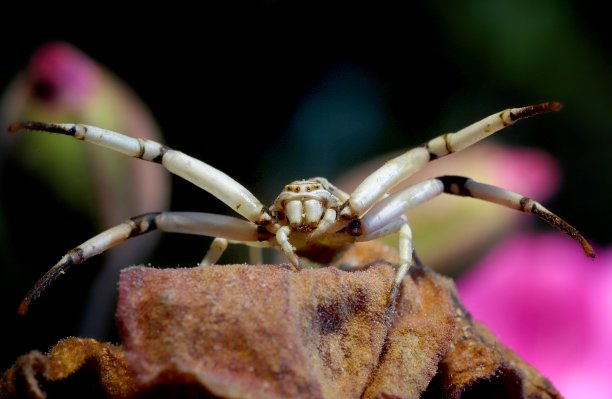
(266, 331)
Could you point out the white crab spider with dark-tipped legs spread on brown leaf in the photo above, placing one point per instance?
(310, 218)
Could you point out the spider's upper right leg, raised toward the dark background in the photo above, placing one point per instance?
(376, 185)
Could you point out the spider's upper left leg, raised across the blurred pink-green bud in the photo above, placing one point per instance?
(193, 170)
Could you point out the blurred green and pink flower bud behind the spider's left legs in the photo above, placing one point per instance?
(62, 84)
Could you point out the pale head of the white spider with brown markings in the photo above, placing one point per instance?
(302, 203)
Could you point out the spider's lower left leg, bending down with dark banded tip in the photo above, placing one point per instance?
(172, 222)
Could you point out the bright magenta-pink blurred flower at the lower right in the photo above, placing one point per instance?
(552, 305)
